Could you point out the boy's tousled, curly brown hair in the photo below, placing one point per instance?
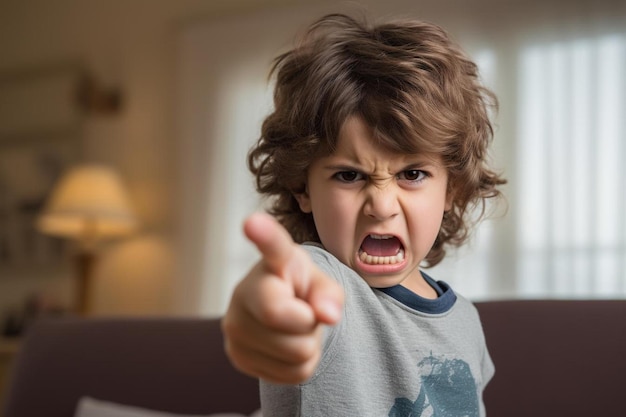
(409, 82)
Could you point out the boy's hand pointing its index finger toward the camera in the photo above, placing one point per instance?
(273, 326)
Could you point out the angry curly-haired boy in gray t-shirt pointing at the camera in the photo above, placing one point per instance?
(374, 154)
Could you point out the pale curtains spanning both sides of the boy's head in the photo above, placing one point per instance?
(560, 140)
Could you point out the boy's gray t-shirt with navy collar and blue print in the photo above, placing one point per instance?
(392, 354)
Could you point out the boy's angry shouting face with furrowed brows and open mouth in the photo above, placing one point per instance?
(377, 211)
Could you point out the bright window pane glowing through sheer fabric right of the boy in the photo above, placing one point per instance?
(571, 174)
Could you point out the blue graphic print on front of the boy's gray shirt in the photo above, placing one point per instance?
(448, 390)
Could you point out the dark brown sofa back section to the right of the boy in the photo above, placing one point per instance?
(556, 358)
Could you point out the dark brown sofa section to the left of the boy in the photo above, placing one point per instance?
(174, 365)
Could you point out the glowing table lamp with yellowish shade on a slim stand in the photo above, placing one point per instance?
(88, 204)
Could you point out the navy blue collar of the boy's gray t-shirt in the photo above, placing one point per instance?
(444, 301)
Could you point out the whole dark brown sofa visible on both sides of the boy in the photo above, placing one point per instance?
(553, 358)
